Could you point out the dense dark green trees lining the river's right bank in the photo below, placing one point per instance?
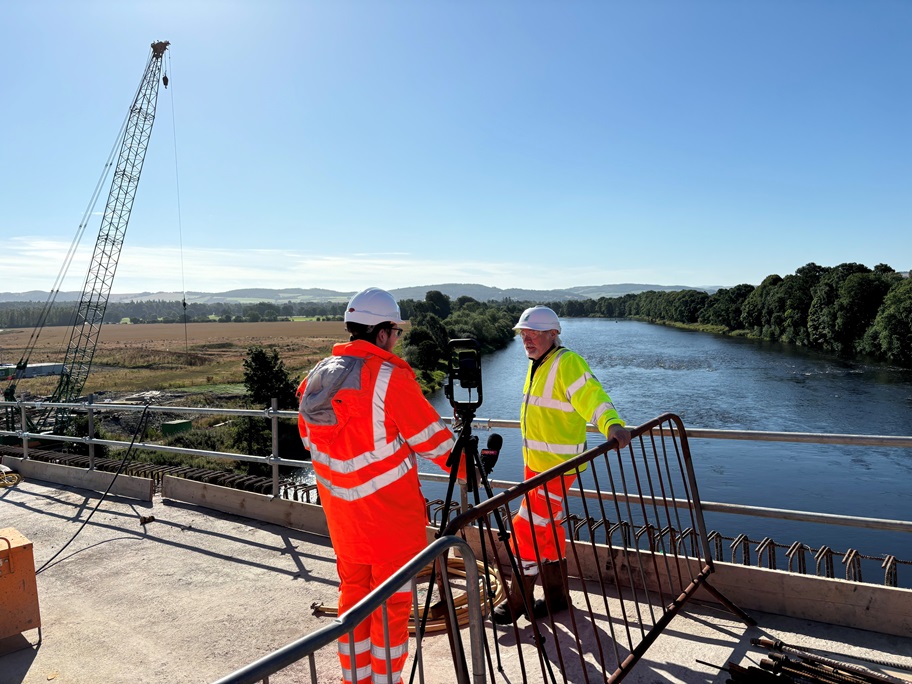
(848, 310)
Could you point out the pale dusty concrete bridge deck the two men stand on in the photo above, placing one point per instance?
(194, 594)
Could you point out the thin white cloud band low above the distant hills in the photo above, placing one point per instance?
(33, 264)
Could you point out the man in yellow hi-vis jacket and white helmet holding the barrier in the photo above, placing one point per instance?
(560, 396)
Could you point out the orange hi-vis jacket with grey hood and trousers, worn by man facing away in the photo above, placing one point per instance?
(364, 418)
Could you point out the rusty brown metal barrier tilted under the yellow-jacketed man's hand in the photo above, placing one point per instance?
(629, 577)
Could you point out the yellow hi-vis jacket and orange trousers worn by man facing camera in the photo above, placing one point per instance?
(559, 397)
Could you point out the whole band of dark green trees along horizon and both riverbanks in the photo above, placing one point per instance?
(848, 310)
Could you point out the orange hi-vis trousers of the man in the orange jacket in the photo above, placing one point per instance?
(357, 580)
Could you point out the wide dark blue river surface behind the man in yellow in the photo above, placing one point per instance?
(728, 383)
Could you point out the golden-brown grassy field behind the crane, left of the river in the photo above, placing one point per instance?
(196, 358)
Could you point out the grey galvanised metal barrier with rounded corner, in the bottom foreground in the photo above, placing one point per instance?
(462, 605)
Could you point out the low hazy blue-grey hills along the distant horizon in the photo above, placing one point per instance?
(482, 293)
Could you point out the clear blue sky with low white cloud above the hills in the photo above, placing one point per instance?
(343, 144)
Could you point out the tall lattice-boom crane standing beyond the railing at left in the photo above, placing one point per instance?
(90, 310)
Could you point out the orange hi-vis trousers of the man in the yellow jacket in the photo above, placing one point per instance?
(532, 529)
